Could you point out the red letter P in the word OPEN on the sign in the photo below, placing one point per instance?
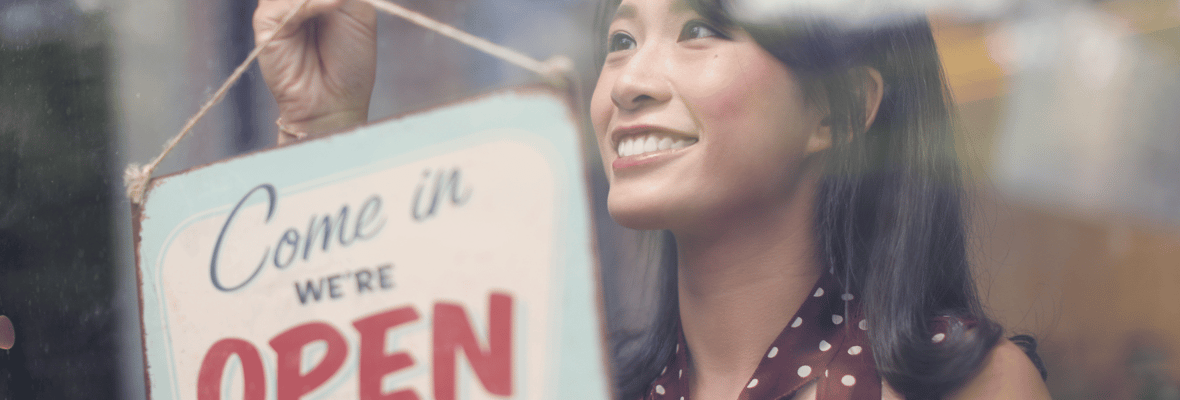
(290, 349)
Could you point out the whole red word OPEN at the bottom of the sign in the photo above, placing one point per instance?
(453, 332)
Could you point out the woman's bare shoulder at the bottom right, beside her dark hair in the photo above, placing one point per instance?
(1008, 373)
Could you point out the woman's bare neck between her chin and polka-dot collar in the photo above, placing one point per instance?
(739, 285)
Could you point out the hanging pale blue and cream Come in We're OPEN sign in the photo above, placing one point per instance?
(444, 255)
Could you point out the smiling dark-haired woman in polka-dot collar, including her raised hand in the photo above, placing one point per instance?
(805, 176)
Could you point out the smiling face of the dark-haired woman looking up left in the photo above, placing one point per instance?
(697, 123)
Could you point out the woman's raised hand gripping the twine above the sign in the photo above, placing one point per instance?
(322, 67)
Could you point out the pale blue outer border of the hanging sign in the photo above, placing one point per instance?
(176, 201)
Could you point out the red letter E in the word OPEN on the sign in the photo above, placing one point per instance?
(375, 364)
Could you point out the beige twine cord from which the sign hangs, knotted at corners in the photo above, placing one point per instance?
(555, 71)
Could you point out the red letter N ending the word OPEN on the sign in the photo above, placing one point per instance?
(453, 331)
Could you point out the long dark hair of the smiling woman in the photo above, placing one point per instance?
(890, 213)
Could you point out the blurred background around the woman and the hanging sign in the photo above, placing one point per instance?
(1070, 122)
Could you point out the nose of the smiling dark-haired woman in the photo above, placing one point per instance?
(643, 82)
